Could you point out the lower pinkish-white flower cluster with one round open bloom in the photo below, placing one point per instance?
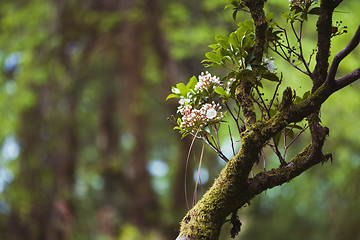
(198, 118)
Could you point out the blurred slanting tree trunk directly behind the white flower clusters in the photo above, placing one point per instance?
(172, 74)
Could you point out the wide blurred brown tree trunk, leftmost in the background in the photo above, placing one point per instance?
(48, 152)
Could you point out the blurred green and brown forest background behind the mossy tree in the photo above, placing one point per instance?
(87, 152)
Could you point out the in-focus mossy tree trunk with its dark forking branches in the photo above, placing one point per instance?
(234, 188)
